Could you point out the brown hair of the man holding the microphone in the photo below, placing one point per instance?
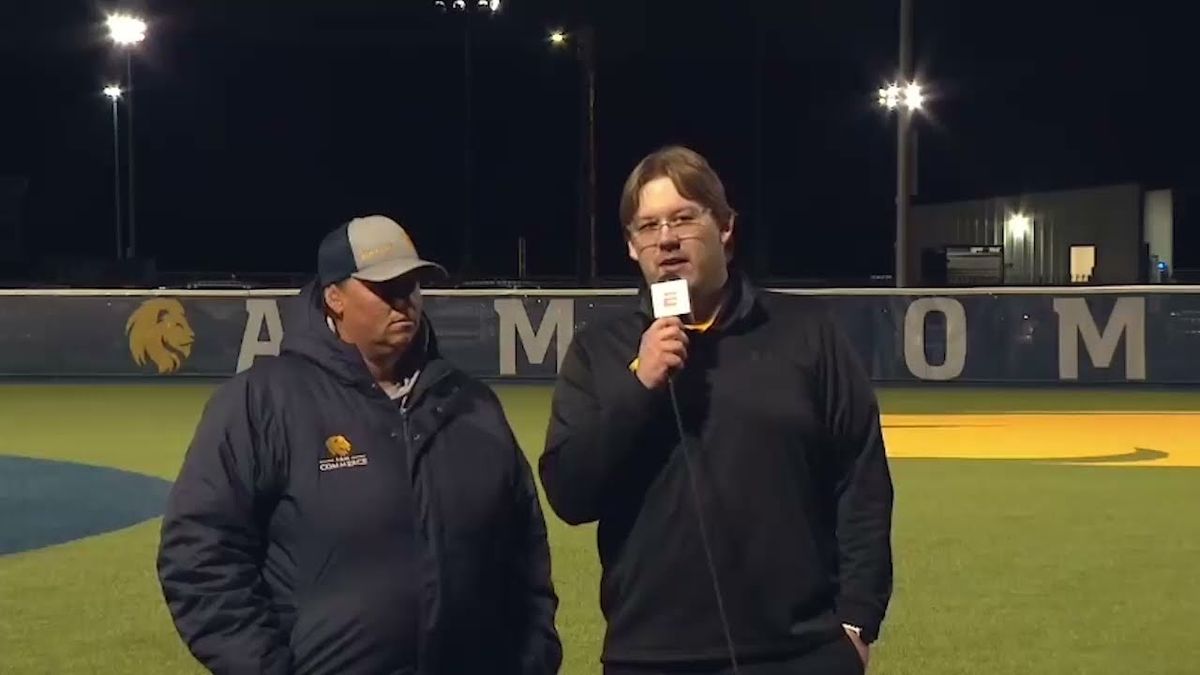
(692, 176)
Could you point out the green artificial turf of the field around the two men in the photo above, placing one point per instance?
(1003, 568)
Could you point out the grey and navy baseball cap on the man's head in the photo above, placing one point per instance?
(373, 249)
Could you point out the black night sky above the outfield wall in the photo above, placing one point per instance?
(261, 126)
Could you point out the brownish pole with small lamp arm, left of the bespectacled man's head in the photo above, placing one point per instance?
(584, 40)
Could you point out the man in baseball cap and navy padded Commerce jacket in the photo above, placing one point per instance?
(358, 505)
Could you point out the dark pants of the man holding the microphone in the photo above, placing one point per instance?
(838, 658)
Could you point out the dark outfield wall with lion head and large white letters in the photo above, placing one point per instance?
(1145, 334)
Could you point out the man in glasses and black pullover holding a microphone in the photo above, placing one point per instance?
(734, 458)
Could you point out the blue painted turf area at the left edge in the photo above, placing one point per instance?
(52, 503)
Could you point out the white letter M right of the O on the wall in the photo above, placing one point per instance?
(1076, 322)
